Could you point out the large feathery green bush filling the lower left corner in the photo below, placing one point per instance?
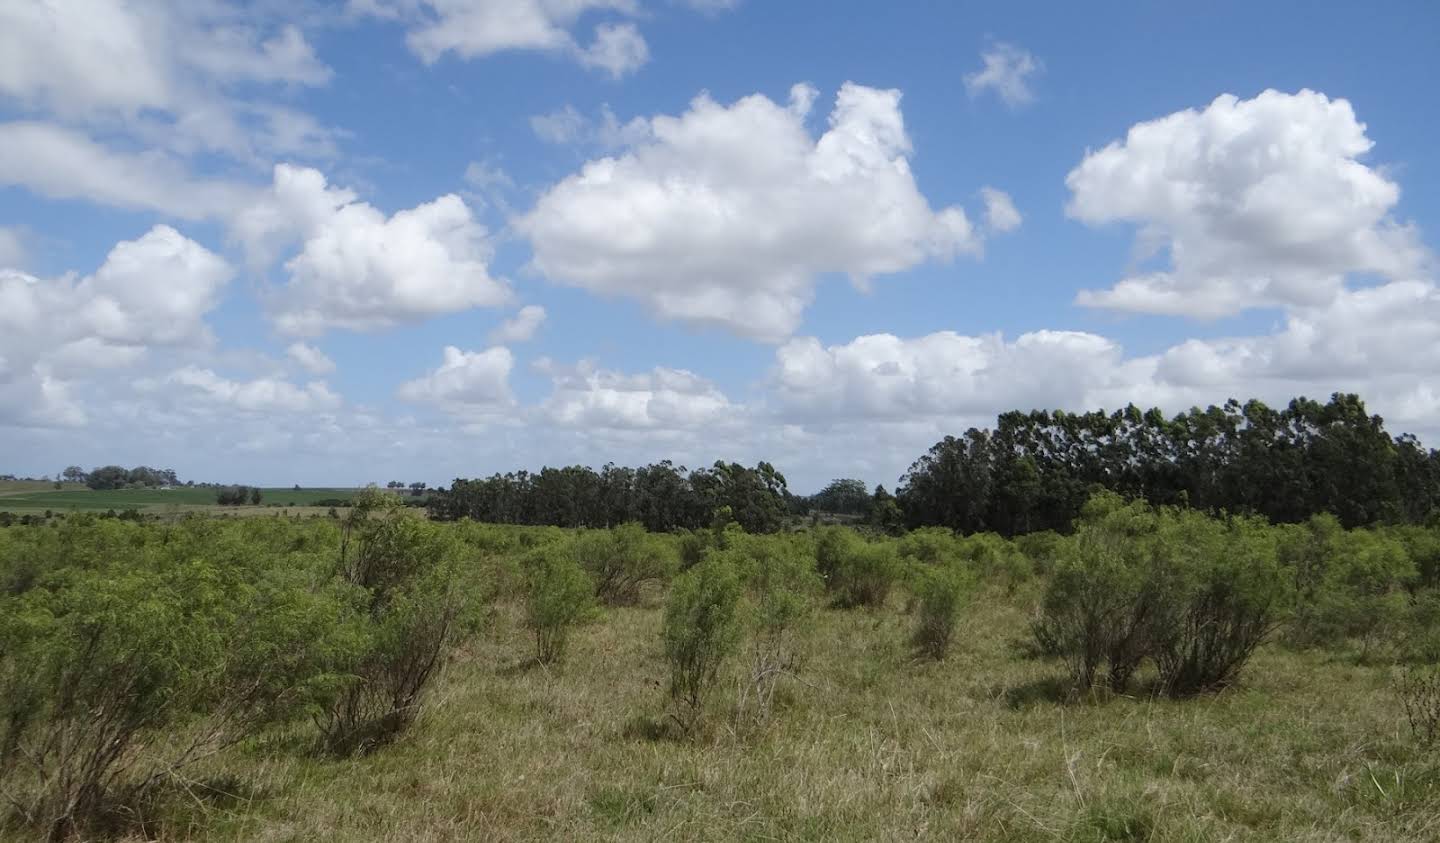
(99, 655)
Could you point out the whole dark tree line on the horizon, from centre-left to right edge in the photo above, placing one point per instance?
(1032, 472)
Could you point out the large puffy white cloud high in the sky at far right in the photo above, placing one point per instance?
(1255, 202)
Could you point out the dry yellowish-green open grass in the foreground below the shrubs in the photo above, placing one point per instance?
(869, 744)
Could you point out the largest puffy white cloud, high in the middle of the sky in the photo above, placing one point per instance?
(728, 214)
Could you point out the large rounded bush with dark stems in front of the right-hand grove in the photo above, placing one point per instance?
(1193, 593)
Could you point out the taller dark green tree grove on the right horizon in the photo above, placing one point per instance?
(1036, 469)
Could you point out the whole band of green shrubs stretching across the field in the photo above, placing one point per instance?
(132, 651)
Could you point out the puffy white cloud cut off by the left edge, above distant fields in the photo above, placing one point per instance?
(150, 292)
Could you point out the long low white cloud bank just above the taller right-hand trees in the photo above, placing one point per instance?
(1382, 342)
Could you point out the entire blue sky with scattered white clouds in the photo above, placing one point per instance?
(418, 240)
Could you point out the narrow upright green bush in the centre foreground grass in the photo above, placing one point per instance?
(701, 630)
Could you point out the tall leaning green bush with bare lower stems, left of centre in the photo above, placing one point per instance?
(418, 603)
